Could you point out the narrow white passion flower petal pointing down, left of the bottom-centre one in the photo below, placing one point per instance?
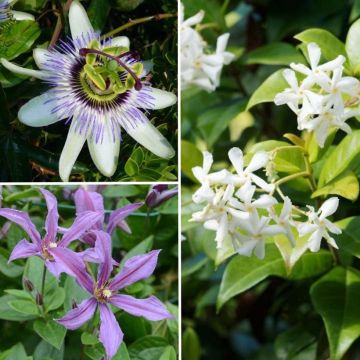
(73, 145)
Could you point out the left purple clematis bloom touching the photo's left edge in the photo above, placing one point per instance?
(43, 247)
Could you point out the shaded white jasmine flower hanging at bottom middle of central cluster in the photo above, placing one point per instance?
(253, 233)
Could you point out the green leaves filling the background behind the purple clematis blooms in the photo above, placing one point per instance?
(22, 339)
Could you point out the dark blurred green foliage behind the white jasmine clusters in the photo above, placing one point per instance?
(276, 318)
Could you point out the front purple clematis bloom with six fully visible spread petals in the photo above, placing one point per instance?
(104, 292)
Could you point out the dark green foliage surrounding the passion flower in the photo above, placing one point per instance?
(32, 154)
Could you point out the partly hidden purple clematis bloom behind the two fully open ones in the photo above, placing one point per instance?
(93, 201)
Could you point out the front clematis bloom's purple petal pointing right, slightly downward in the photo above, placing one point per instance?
(151, 308)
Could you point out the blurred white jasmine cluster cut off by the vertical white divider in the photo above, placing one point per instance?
(198, 67)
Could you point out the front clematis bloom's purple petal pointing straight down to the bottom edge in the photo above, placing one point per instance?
(110, 335)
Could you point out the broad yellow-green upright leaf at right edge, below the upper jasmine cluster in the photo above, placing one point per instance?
(344, 157)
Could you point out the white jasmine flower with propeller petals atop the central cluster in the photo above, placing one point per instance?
(246, 176)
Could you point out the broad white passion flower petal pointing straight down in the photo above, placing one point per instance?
(105, 154)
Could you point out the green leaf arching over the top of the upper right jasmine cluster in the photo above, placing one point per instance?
(331, 47)
